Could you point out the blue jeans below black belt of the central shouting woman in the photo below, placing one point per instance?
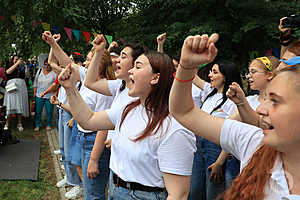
(120, 193)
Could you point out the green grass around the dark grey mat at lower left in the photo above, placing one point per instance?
(44, 188)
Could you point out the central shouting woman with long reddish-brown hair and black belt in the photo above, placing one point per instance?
(151, 154)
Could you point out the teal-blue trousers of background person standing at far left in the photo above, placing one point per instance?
(40, 102)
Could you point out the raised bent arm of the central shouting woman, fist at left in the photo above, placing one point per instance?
(81, 112)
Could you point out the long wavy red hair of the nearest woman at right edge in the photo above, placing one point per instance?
(250, 183)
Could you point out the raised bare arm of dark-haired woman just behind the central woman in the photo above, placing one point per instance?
(91, 80)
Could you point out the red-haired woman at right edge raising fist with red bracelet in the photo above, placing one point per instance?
(270, 161)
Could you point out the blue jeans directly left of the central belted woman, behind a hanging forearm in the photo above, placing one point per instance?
(94, 188)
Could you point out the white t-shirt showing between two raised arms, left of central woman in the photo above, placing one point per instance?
(95, 101)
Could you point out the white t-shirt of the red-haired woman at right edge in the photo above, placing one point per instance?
(242, 140)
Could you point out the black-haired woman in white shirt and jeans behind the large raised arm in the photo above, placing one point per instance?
(208, 178)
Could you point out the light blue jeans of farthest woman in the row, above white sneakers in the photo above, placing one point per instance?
(65, 134)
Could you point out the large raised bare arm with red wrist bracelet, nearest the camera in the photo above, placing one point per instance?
(196, 50)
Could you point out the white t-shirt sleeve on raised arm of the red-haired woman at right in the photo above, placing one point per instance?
(240, 139)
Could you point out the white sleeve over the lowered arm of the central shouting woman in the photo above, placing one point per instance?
(176, 153)
